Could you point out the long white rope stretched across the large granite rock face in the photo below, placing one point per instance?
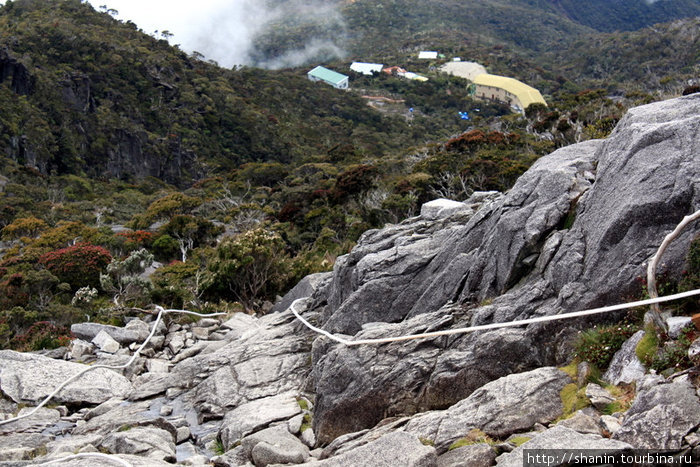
(483, 327)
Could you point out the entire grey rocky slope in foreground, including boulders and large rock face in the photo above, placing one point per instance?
(574, 232)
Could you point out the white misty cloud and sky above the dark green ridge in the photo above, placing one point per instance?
(271, 34)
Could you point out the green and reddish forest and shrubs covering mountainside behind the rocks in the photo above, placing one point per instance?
(118, 149)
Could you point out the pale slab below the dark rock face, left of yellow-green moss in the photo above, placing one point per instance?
(511, 404)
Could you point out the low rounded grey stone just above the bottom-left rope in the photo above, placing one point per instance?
(149, 441)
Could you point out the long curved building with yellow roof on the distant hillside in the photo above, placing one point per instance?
(507, 90)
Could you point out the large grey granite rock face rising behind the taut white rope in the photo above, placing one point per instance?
(574, 232)
